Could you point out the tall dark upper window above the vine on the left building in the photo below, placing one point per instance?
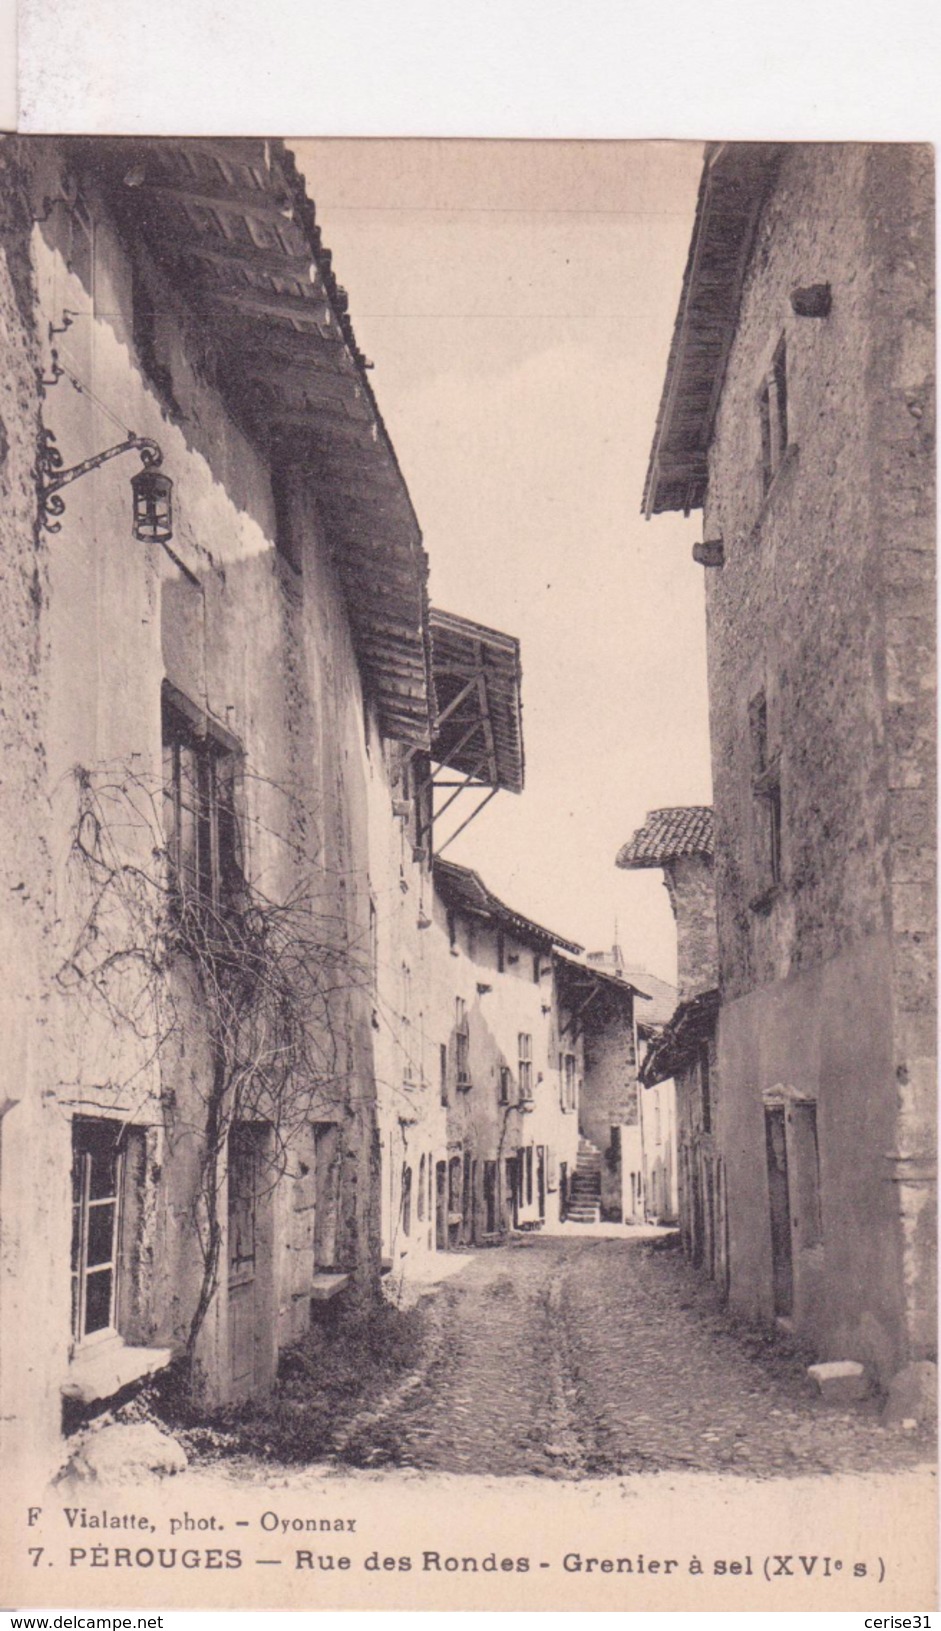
(200, 813)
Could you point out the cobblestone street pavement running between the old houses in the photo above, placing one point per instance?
(588, 1358)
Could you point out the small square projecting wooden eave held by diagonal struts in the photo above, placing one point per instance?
(479, 722)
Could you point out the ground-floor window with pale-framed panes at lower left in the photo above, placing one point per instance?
(107, 1178)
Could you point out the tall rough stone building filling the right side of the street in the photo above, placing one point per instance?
(798, 417)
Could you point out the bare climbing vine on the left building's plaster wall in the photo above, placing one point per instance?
(267, 983)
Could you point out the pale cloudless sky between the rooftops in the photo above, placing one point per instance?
(518, 301)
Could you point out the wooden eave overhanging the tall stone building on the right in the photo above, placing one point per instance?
(736, 182)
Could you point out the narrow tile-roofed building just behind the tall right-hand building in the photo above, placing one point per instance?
(684, 1050)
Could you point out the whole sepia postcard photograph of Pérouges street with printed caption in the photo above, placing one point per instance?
(469, 929)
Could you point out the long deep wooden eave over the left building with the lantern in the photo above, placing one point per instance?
(231, 226)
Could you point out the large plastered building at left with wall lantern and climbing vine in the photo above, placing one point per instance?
(203, 684)
